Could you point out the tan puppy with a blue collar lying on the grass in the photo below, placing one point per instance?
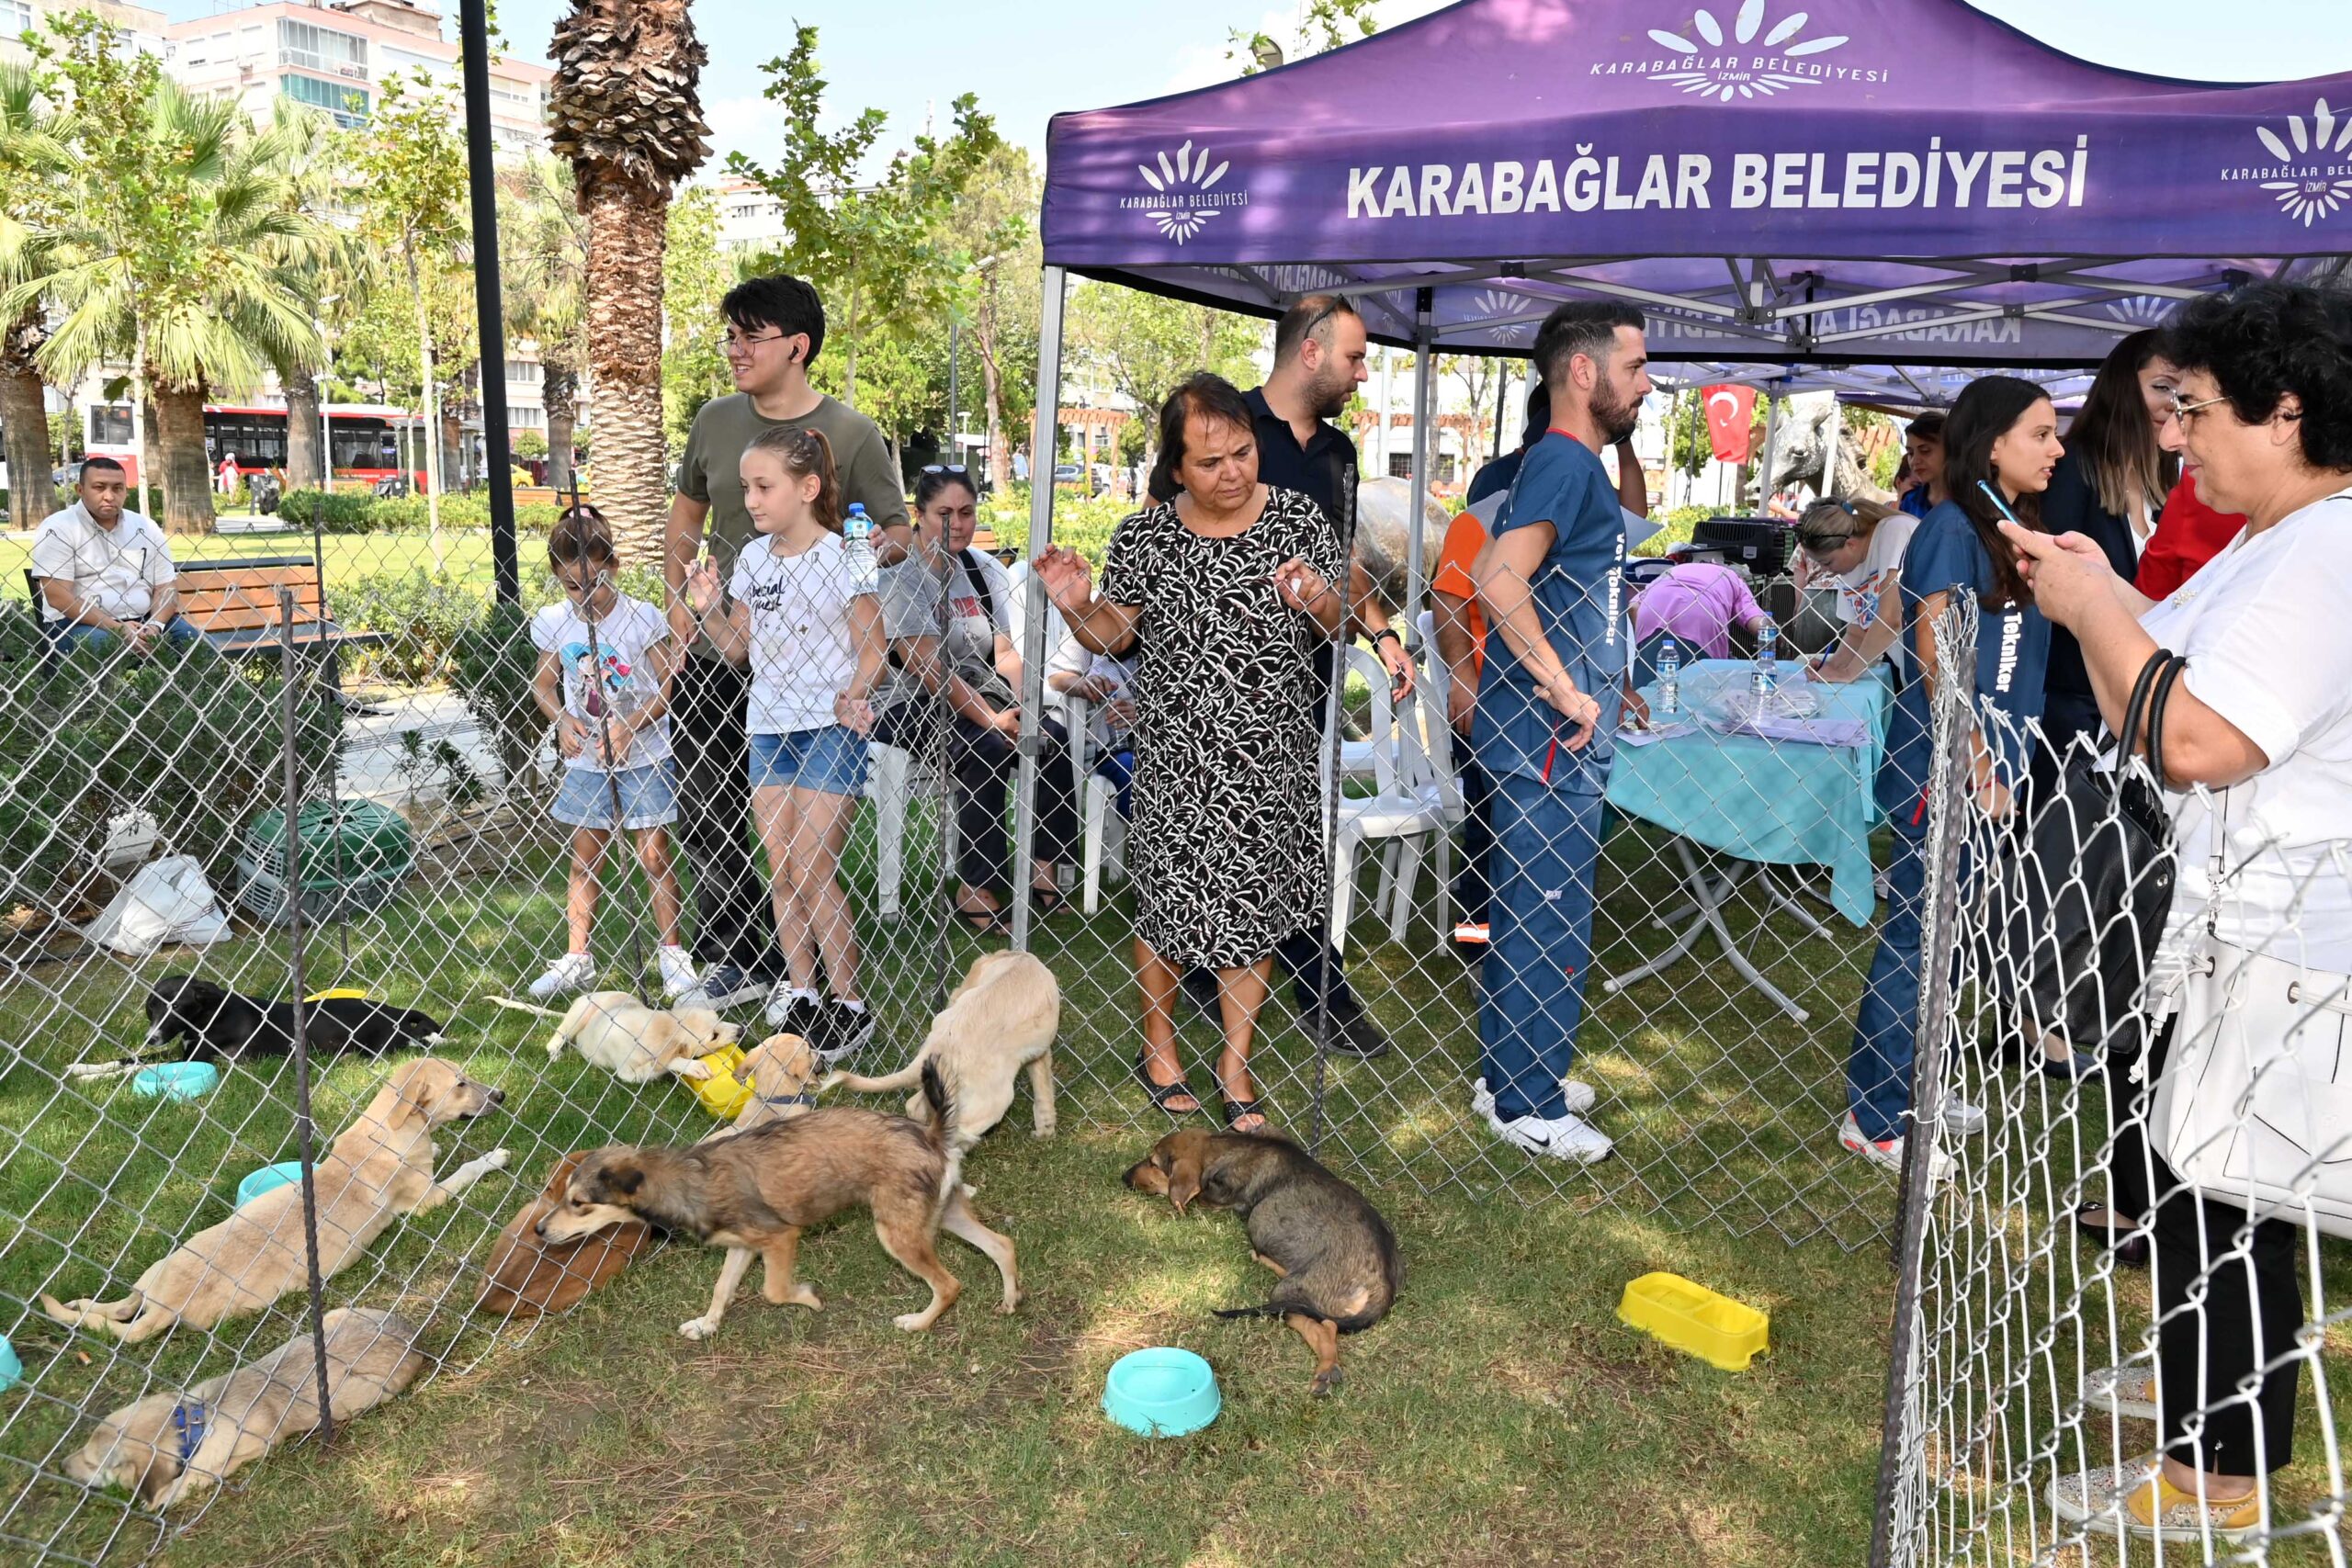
(173, 1445)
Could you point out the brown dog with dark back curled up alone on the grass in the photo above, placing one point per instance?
(1335, 1257)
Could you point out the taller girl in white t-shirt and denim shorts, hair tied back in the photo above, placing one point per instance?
(815, 648)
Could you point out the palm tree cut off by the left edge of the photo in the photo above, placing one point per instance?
(34, 168)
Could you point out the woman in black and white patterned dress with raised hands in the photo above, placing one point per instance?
(1229, 594)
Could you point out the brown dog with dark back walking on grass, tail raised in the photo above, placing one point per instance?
(754, 1193)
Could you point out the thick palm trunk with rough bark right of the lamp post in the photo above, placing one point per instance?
(624, 114)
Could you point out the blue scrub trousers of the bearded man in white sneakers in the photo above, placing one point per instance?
(1544, 864)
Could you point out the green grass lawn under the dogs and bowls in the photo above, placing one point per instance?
(1502, 1414)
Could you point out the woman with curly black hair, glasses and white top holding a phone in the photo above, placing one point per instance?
(2259, 751)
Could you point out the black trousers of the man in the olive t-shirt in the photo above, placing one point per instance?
(733, 916)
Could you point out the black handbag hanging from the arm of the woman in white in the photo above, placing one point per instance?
(2092, 885)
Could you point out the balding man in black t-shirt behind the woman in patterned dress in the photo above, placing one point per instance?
(1321, 359)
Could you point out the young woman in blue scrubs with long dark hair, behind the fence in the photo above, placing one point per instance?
(2000, 441)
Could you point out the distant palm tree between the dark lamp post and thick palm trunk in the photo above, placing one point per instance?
(547, 283)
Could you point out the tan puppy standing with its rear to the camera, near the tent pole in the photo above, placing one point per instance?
(998, 1021)
